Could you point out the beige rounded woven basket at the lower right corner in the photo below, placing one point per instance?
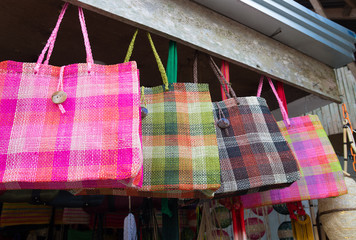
(338, 215)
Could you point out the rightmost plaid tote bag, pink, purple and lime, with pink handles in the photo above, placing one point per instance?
(321, 173)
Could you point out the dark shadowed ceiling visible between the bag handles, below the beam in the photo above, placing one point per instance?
(26, 24)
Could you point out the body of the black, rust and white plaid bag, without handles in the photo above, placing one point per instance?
(254, 156)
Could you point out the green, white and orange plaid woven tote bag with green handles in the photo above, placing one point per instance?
(180, 152)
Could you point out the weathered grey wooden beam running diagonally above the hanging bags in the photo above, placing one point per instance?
(198, 27)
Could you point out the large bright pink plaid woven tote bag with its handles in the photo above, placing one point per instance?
(86, 135)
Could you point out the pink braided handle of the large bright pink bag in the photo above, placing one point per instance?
(51, 41)
